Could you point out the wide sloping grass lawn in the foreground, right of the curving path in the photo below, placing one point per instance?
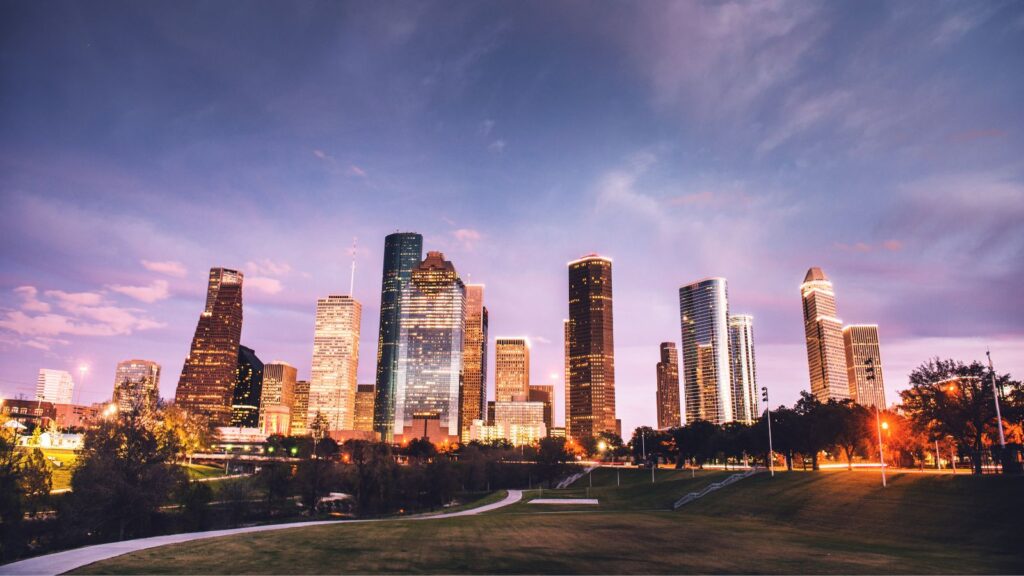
(835, 522)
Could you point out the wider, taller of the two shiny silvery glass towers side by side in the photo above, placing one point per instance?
(704, 311)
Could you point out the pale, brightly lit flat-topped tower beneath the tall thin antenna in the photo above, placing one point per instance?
(336, 359)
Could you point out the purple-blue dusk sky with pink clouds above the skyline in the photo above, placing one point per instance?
(143, 143)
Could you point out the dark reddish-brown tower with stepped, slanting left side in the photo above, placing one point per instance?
(207, 382)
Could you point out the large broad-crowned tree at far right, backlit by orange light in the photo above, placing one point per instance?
(950, 399)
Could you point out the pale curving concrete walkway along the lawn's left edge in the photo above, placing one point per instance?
(70, 560)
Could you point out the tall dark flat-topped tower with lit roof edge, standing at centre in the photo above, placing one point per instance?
(592, 355)
